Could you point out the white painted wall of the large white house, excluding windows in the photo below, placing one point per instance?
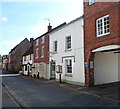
(74, 29)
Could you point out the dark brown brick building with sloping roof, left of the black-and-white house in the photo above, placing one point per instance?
(15, 55)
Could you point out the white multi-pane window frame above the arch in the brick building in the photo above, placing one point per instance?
(103, 25)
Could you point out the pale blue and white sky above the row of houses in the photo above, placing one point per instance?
(29, 19)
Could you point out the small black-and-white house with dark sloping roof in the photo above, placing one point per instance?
(28, 61)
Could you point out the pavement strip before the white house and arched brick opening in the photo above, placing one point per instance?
(109, 91)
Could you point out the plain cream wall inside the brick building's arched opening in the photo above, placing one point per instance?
(105, 67)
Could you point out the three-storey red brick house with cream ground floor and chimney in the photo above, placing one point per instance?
(41, 54)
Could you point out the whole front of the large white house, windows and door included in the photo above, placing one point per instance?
(67, 53)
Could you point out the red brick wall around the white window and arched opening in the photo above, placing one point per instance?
(91, 14)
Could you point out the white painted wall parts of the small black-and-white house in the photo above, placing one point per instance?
(26, 63)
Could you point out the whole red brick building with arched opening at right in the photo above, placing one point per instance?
(102, 41)
